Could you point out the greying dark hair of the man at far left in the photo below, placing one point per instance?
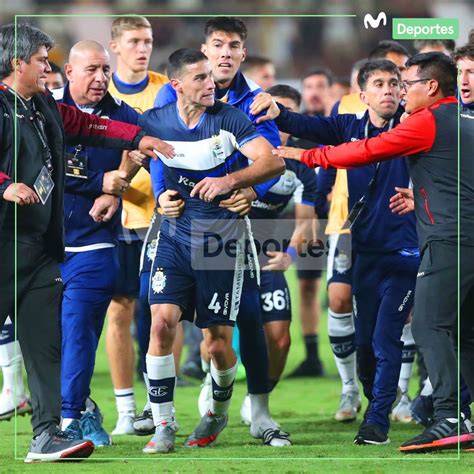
(28, 41)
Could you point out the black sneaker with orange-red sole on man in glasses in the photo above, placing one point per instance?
(442, 434)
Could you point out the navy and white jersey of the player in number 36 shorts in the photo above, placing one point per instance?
(299, 182)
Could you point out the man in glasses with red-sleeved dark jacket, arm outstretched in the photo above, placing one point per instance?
(429, 137)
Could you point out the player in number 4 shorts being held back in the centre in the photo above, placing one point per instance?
(206, 168)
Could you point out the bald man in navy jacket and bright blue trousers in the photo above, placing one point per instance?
(93, 182)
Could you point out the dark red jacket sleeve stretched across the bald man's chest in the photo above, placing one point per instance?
(81, 127)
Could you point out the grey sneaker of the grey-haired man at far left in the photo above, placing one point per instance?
(56, 445)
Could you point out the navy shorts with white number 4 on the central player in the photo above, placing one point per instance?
(213, 294)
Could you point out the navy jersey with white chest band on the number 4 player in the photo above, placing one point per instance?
(208, 149)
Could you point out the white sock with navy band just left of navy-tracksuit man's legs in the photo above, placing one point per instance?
(341, 336)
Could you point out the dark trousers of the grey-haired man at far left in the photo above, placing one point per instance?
(38, 296)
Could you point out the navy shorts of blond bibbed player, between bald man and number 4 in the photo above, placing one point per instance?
(128, 277)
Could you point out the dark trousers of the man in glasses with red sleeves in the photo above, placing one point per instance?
(435, 322)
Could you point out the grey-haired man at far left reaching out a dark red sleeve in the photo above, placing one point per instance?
(31, 218)
